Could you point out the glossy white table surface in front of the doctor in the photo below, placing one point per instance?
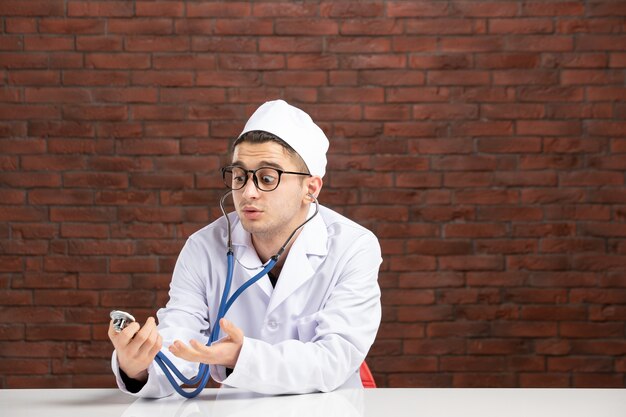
(345, 403)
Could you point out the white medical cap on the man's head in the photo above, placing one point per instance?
(296, 128)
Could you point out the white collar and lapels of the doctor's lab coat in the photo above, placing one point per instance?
(302, 259)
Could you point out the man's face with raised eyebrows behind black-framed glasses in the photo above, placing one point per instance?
(273, 213)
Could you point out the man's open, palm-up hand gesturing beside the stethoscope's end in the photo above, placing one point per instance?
(225, 352)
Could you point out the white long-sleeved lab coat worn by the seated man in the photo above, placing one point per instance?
(310, 333)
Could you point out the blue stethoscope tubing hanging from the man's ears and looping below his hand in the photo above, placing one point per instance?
(225, 303)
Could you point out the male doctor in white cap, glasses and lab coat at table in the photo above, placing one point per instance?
(305, 327)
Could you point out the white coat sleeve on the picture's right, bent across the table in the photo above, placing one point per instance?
(339, 335)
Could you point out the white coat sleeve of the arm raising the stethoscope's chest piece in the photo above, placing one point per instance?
(185, 317)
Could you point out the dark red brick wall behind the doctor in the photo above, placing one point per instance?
(483, 141)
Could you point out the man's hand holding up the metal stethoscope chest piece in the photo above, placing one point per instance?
(136, 347)
